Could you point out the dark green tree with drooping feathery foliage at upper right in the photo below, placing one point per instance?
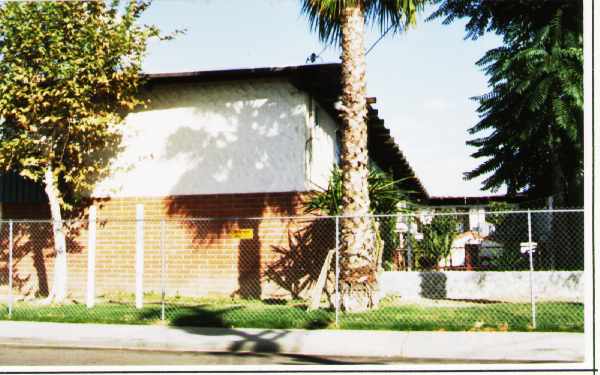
(531, 122)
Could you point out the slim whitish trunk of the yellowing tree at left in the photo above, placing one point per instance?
(58, 292)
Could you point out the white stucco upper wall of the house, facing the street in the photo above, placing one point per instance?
(235, 137)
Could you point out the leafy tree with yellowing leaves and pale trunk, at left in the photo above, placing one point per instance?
(69, 72)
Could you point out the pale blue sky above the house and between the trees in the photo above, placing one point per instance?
(422, 78)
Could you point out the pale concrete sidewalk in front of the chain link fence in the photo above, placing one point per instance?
(485, 346)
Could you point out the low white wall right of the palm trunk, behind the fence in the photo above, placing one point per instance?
(510, 286)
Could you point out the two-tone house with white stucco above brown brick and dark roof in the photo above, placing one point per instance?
(229, 144)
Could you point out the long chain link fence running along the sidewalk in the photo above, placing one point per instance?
(497, 271)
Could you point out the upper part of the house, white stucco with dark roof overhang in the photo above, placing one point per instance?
(230, 133)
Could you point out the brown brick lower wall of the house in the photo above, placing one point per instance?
(202, 257)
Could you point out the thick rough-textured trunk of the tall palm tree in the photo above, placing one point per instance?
(358, 266)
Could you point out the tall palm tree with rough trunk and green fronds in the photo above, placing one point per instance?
(344, 21)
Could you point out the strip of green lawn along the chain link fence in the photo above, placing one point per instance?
(551, 316)
